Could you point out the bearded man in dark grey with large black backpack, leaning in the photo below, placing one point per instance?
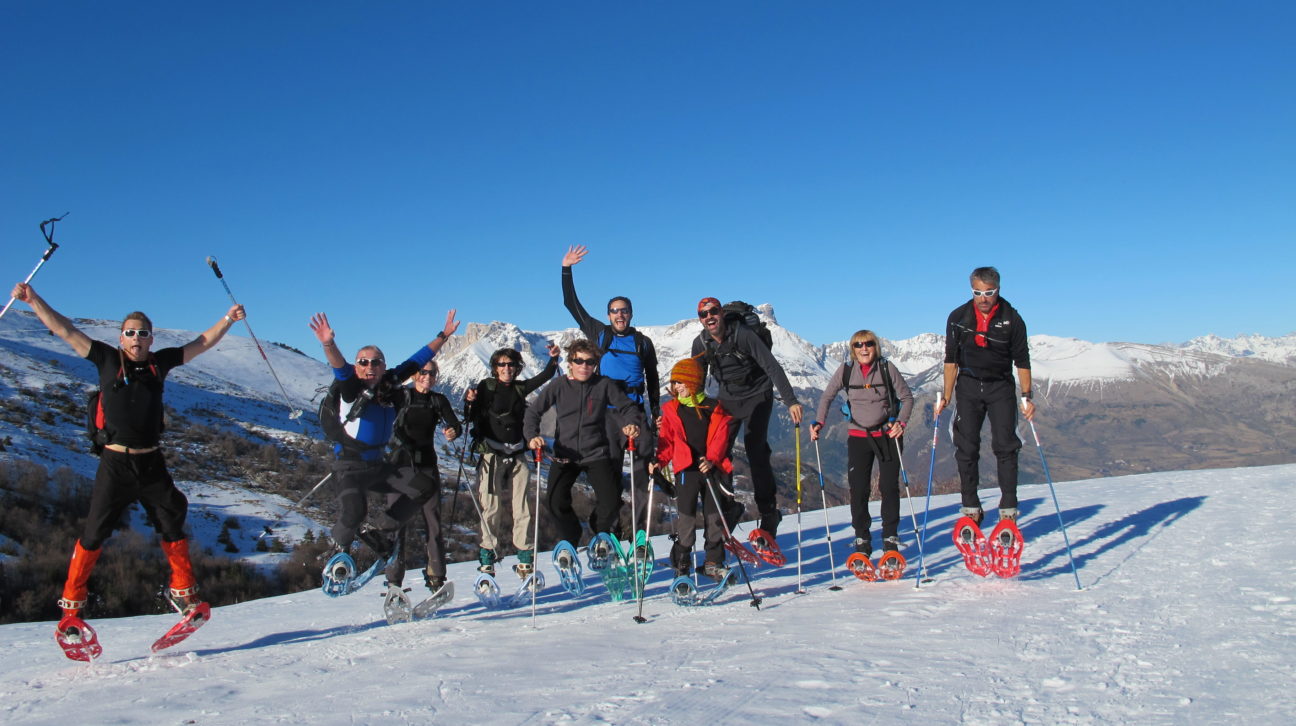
(745, 369)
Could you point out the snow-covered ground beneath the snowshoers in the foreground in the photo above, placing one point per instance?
(1188, 616)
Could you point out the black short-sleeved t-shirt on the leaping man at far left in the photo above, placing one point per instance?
(133, 403)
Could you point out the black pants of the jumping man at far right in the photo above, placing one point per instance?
(978, 400)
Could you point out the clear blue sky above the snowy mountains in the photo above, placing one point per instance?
(1128, 167)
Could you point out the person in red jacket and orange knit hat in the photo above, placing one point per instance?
(694, 440)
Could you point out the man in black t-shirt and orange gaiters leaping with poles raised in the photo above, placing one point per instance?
(132, 465)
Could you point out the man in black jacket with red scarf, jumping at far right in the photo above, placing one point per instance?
(984, 339)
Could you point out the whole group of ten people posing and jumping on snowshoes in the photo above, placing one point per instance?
(608, 403)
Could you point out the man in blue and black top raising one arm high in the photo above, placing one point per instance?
(631, 361)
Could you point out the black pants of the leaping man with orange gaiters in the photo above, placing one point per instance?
(125, 479)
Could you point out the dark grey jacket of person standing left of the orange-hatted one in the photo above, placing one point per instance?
(583, 409)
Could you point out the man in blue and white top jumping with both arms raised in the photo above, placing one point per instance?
(360, 416)
